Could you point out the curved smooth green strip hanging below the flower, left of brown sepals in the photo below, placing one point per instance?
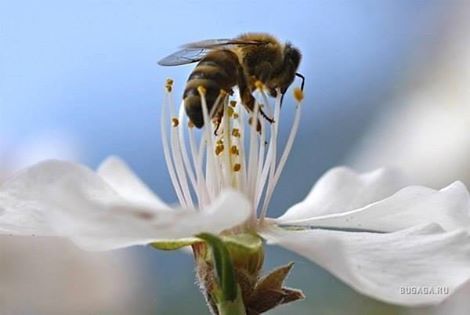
(223, 266)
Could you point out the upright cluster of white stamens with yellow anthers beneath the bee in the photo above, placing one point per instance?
(235, 149)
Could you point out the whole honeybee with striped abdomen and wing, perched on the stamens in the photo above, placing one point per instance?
(242, 62)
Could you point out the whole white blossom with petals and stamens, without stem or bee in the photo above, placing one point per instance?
(416, 236)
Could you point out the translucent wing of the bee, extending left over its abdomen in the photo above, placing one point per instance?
(194, 52)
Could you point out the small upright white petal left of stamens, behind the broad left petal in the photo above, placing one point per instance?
(123, 180)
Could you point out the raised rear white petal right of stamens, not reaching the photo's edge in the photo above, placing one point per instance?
(341, 189)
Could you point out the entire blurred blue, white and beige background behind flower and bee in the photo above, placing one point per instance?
(387, 83)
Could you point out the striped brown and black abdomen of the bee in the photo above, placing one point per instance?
(219, 70)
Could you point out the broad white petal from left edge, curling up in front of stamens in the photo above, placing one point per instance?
(66, 199)
